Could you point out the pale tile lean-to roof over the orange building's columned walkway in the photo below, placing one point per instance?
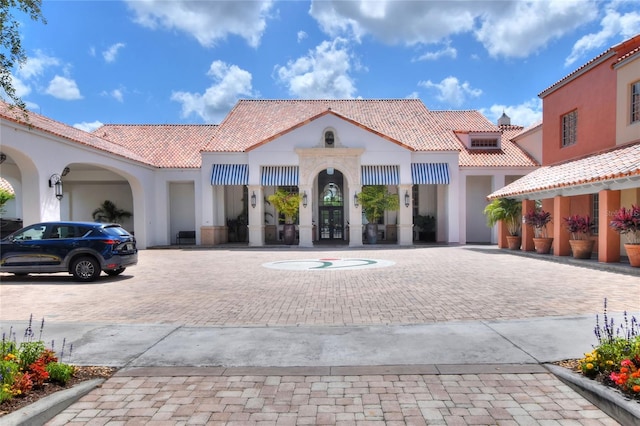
(620, 162)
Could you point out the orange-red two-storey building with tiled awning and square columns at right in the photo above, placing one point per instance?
(590, 150)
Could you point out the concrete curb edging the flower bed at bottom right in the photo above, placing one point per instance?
(609, 400)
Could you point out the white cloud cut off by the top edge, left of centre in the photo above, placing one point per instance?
(207, 21)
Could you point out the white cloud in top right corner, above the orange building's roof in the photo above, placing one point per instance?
(612, 24)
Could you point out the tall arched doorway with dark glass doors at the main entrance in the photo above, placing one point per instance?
(331, 205)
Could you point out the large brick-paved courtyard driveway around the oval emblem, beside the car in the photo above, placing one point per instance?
(230, 287)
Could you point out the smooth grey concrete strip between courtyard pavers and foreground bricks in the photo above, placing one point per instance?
(531, 341)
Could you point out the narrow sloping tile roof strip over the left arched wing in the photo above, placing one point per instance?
(65, 131)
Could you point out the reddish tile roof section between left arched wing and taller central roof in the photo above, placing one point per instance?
(163, 145)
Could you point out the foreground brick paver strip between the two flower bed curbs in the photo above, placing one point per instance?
(469, 399)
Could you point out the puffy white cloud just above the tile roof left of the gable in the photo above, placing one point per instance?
(231, 82)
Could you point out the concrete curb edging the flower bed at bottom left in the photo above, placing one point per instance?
(50, 406)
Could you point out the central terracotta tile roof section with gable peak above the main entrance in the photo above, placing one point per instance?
(407, 122)
